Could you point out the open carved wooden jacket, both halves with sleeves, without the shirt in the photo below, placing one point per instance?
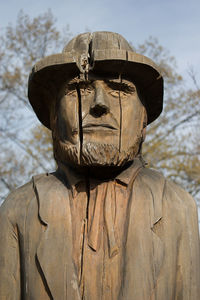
(161, 256)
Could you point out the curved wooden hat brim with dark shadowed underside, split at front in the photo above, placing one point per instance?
(55, 70)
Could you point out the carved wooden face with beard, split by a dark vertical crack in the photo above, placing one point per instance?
(100, 117)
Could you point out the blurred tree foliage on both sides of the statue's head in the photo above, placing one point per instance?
(172, 143)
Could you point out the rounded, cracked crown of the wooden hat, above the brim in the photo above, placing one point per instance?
(100, 40)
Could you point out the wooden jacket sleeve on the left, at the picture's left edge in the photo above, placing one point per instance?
(9, 255)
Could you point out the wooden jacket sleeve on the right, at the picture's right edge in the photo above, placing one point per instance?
(188, 269)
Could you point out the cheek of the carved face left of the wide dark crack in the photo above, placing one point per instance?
(68, 119)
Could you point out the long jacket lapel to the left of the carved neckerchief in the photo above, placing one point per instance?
(54, 252)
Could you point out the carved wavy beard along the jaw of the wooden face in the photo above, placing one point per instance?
(94, 154)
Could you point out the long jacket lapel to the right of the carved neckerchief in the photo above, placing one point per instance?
(144, 248)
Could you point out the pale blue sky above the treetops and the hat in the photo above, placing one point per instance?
(175, 23)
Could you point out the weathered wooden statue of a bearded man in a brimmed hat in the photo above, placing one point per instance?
(103, 226)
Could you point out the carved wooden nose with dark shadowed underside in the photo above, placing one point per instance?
(100, 104)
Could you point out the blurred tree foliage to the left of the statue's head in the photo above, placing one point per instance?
(26, 147)
